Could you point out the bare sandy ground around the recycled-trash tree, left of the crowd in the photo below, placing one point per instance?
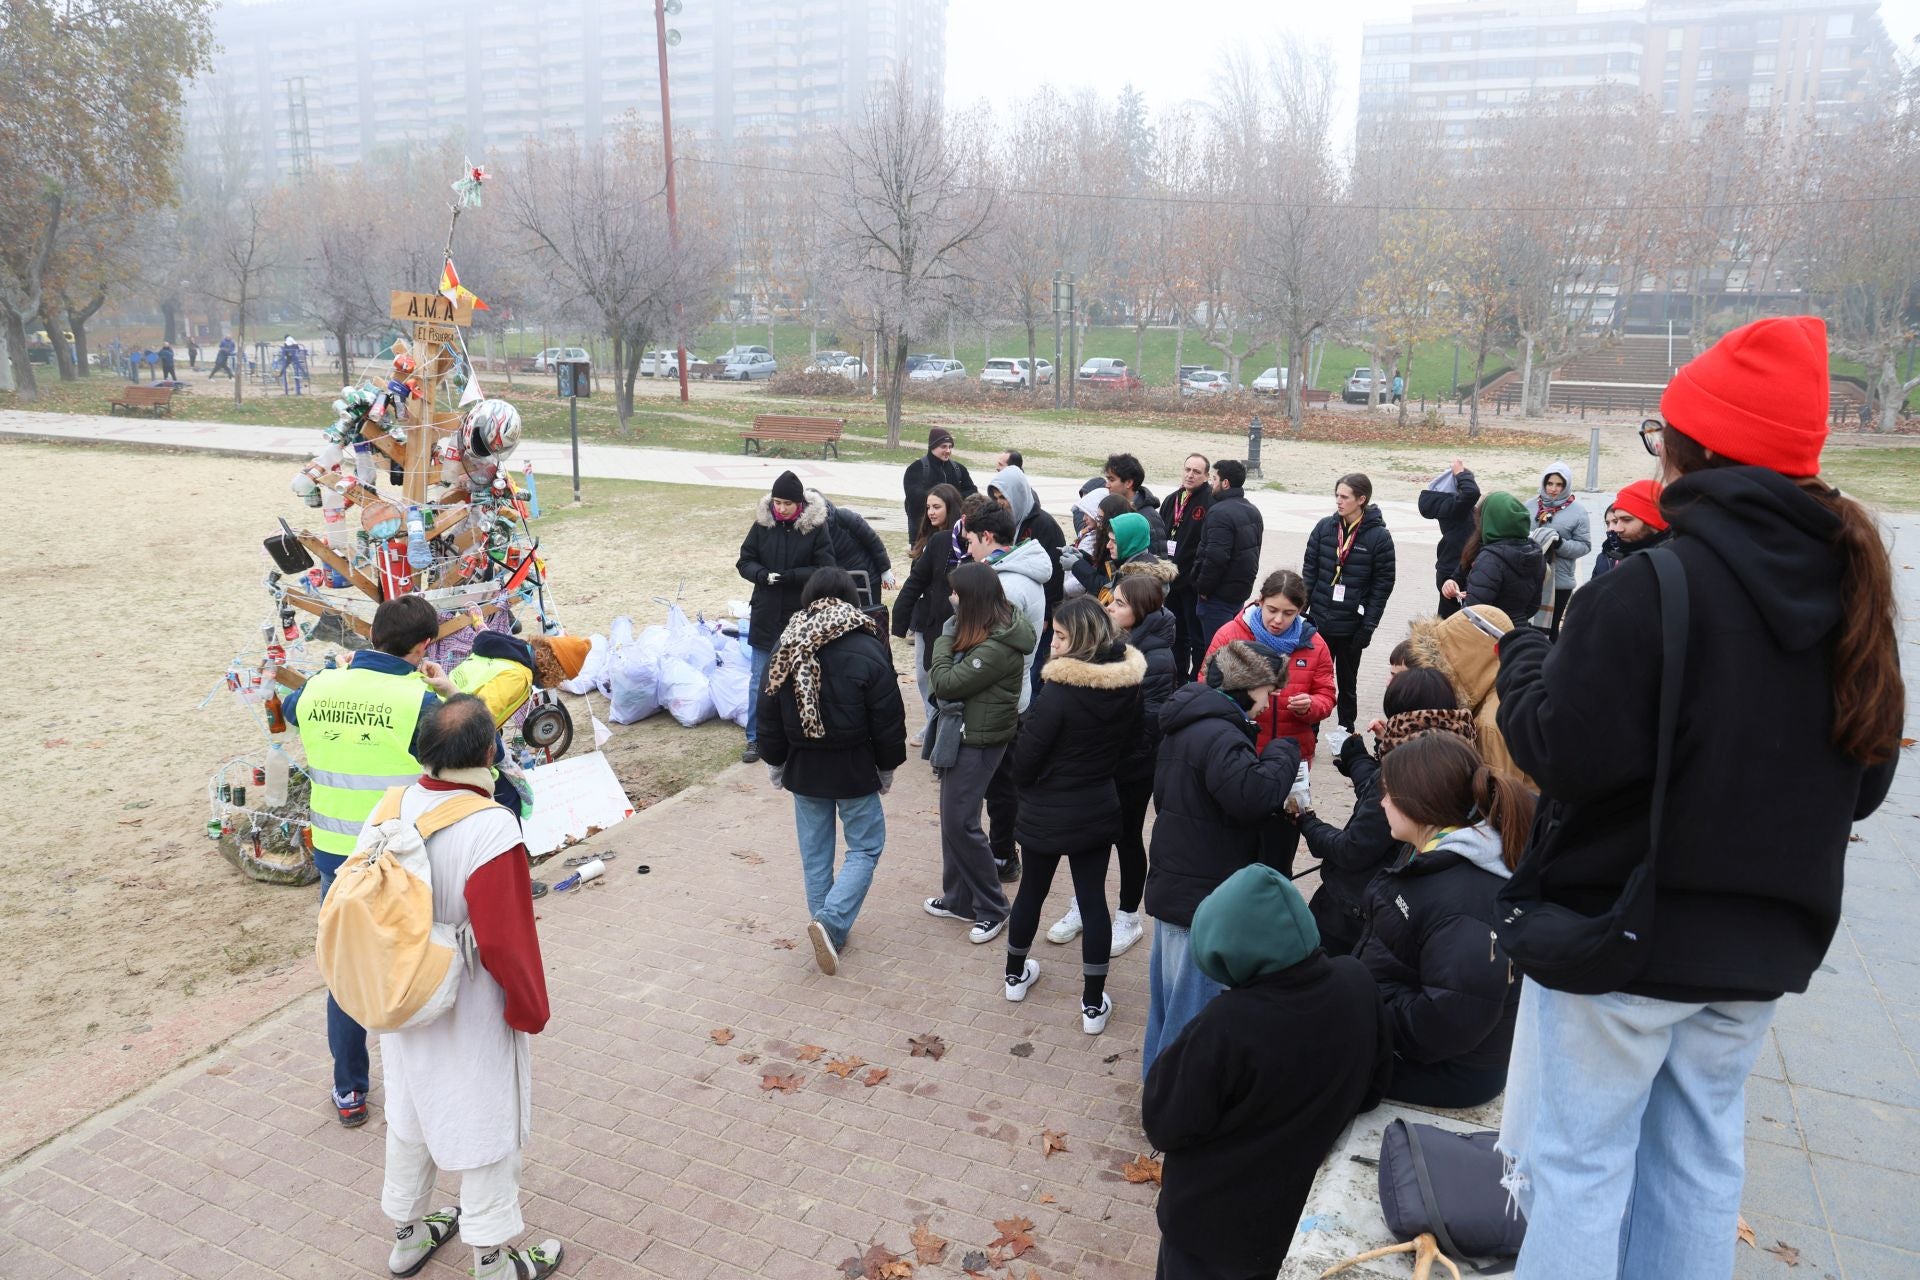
(120, 924)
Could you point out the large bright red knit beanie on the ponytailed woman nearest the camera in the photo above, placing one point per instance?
(1758, 396)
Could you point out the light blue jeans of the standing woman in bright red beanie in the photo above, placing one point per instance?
(1625, 1133)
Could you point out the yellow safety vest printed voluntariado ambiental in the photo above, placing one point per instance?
(358, 730)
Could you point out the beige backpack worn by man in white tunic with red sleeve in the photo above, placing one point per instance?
(383, 957)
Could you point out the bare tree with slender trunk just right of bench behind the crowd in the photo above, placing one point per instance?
(905, 222)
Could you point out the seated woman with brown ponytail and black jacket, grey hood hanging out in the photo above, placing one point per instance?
(1429, 934)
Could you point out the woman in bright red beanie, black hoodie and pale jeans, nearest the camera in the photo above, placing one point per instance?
(1625, 1114)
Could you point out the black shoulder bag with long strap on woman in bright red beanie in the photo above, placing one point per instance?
(1598, 955)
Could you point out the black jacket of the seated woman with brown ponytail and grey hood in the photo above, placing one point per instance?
(1429, 943)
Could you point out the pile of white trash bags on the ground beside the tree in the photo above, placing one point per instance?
(692, 669)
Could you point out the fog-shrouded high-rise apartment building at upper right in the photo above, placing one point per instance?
(1466, 62)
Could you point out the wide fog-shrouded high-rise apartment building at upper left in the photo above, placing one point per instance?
(335, 83)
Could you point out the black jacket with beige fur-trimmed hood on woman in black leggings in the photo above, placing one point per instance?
(1070, 742)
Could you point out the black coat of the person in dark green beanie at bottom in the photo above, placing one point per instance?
(1249, 1101)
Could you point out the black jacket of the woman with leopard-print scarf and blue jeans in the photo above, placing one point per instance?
(863, 715)
